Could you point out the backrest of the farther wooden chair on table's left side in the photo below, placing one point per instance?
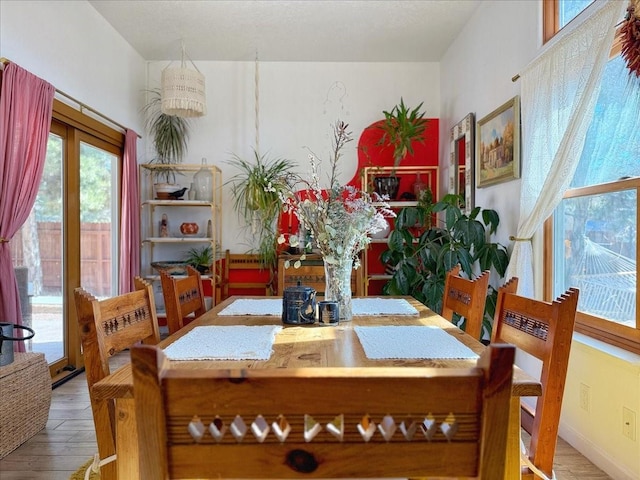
(183, 298)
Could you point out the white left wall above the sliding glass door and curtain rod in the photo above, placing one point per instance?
(76, 50)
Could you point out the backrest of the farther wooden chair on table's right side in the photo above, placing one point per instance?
(466, 298)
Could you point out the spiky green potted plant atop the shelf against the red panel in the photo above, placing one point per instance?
(402, 126)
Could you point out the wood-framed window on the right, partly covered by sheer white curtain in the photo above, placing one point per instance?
(594, 240)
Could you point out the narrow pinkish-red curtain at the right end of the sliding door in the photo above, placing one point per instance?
(129, 215)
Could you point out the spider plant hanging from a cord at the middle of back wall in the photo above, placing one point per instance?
(256, 193)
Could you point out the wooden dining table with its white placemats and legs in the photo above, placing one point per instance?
(313, 345)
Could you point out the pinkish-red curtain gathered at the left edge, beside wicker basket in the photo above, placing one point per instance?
(26, 103)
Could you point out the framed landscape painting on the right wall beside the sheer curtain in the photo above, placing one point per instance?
(498, 145)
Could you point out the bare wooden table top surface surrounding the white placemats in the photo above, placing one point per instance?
(318, 346)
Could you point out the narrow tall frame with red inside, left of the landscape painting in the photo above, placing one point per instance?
(462, 161)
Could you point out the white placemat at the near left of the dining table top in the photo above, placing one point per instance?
(236, 342)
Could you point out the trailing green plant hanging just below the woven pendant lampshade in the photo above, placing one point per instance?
(170, 135)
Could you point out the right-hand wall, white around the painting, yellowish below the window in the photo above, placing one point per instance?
(501, 39)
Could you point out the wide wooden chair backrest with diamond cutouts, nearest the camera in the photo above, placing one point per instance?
(322, 422)
